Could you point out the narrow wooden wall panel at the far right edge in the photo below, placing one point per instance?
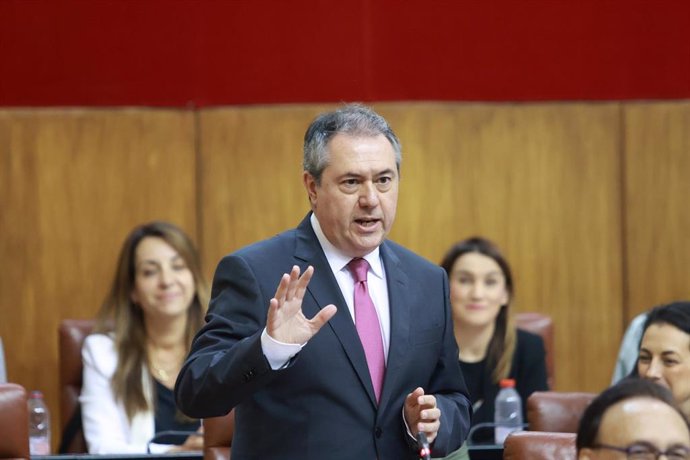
(657, 209)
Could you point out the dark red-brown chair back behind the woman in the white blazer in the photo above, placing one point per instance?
(71, 334)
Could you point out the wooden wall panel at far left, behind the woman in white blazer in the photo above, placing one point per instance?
(72, 184)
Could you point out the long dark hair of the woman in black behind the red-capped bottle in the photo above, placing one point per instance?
(502, 344)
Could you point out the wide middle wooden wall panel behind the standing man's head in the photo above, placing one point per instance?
(542, 180)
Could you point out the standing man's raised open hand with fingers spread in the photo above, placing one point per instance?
(286, 323)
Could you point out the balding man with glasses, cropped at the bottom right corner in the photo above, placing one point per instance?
(634, 419)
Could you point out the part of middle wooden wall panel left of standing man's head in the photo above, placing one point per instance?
(251, 175)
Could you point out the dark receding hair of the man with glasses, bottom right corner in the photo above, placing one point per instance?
(629, 388)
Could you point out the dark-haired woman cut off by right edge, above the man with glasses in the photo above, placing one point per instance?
(664, 356)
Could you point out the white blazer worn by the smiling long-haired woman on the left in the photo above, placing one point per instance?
(106, 427)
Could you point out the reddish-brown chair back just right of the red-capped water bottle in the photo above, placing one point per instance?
(556, 410)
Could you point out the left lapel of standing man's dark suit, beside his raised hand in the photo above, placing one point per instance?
(325, 290)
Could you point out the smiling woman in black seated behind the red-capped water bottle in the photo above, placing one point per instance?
(491, 347)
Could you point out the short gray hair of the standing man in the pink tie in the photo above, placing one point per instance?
(352, 119)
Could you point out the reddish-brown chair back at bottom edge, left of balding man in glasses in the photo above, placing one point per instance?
(540, 445)
